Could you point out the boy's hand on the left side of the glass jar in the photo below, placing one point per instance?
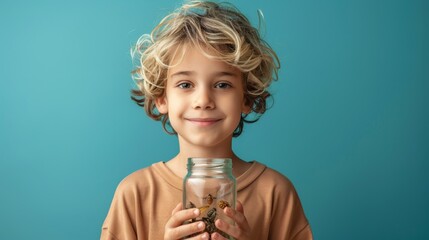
(175, 230)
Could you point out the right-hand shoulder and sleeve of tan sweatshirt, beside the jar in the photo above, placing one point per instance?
(273, 193)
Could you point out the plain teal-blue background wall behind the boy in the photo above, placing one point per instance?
(349, 125)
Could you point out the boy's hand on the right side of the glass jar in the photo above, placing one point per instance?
(239, 231)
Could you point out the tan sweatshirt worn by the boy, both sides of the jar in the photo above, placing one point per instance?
(144, 200)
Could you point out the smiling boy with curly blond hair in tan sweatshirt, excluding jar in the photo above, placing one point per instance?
(201, 72)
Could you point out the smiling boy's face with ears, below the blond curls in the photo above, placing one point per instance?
(204, 99)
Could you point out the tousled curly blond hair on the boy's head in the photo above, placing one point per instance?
(221, 32)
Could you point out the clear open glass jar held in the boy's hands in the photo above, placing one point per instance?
(210, 186)
